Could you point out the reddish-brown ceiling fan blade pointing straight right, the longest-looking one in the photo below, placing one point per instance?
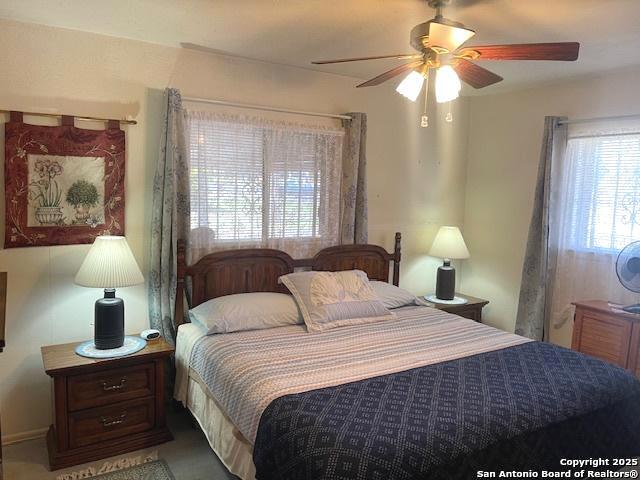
(567, 51)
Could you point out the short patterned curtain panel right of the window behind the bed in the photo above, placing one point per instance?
(353, 190)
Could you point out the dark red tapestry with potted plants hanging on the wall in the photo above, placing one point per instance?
(63, 185)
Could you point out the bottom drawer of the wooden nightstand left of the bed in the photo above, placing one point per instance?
(113, 421)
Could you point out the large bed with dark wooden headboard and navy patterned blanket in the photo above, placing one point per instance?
(427, 395)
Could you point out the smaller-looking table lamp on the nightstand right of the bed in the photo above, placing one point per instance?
(448, 245)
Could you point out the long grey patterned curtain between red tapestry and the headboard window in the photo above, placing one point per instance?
(170, 216)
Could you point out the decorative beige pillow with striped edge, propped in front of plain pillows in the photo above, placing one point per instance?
(335, 299)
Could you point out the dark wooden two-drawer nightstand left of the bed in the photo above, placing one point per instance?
(105, 407)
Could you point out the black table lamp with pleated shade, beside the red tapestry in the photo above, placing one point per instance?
(109, 265)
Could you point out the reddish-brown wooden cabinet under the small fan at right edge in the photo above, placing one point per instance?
(608, 334)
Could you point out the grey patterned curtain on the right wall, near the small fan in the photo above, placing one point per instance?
(540, 260)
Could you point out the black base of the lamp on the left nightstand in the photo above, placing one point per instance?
(109, 321)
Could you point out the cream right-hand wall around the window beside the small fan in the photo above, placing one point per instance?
(505, 134)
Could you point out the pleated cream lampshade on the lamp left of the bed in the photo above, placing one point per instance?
(109, 264)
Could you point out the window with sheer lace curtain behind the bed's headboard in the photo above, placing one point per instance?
(263, 183)
